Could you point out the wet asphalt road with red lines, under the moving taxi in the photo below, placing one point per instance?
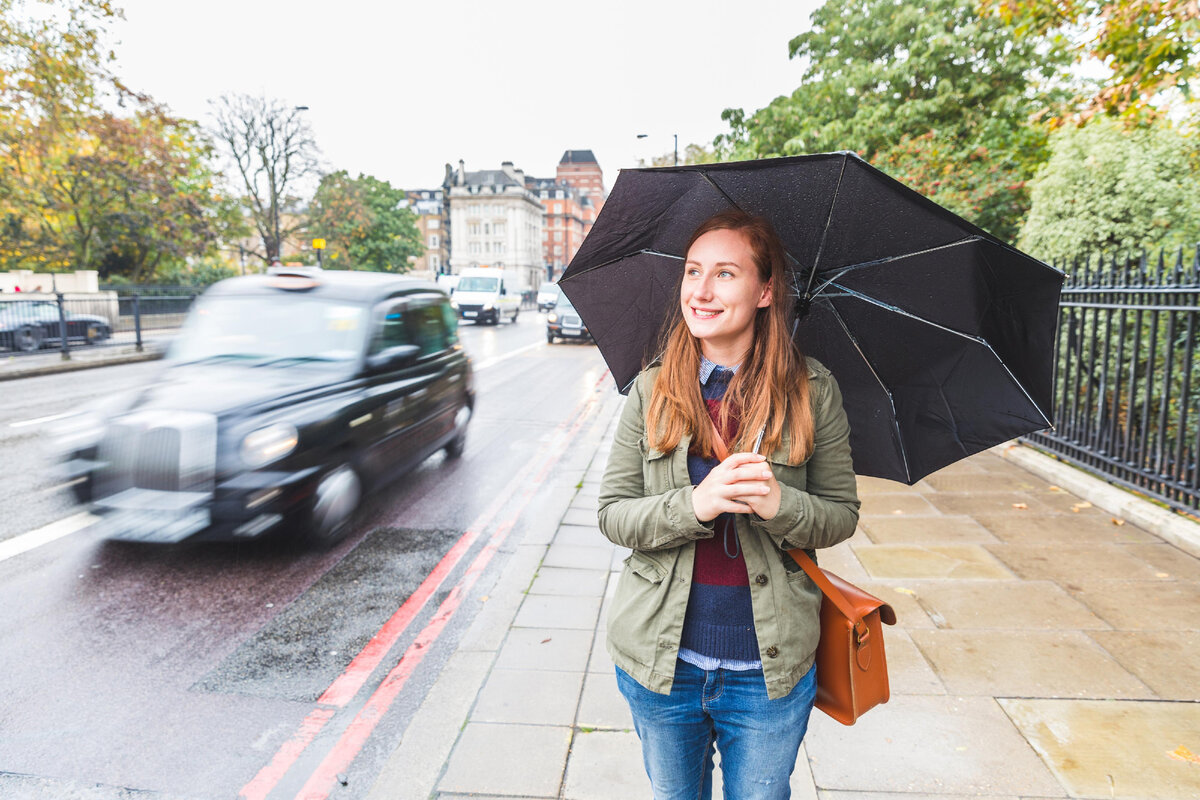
(259, 670)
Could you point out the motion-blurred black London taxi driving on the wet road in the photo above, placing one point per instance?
(284, 400)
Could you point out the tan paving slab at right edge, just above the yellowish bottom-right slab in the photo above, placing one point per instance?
(1167, 661)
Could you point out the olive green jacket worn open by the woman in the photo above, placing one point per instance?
(646, 507)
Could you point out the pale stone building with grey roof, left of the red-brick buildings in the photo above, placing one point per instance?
(495, 221)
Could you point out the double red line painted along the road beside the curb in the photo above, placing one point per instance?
(352, 679)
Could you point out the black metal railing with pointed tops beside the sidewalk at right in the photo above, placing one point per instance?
(1127, 390)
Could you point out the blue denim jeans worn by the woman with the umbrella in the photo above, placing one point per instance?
(759, 738)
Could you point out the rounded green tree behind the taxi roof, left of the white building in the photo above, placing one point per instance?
(364, 224)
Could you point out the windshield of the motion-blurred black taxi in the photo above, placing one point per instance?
(278, 330)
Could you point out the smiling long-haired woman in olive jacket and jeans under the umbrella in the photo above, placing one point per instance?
(713, 628)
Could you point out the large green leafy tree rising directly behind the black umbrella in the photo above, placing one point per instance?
(933, 92)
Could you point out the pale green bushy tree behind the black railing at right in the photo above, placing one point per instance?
(1109, 189)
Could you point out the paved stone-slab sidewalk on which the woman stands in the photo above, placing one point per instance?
(1046, 649)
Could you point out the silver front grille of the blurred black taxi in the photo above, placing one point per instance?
(155, 450)
